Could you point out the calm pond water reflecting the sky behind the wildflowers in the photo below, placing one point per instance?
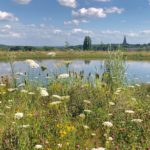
(138, 71)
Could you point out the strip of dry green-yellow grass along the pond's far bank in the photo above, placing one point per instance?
(20, 55)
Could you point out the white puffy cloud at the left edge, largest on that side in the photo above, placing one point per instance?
(6, 16)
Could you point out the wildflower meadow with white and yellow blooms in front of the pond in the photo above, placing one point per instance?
(72, 113)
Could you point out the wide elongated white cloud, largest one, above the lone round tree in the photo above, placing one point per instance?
(96, 12)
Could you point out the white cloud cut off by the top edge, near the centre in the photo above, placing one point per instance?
(68, 3)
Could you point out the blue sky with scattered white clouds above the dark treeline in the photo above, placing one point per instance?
(52, 22)
